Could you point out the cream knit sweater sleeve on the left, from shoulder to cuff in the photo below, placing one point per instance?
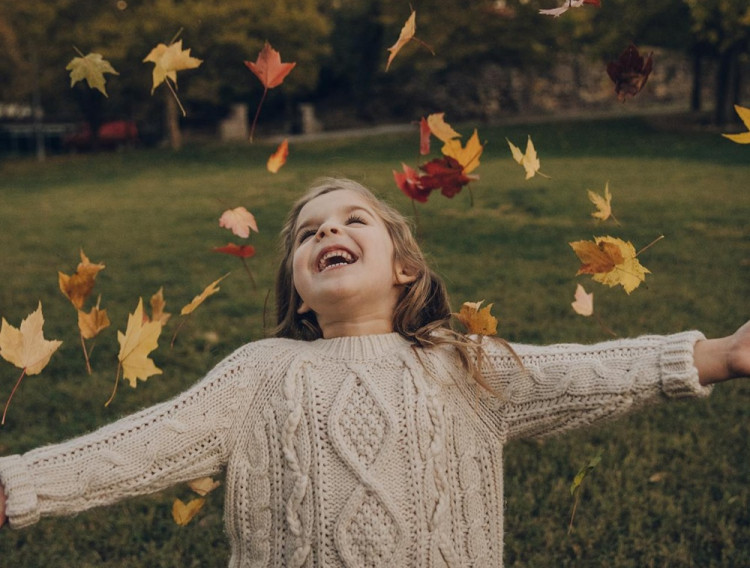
(179, 440)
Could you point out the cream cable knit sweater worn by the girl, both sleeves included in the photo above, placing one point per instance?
(352, 451)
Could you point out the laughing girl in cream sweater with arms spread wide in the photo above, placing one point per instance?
(367, 433)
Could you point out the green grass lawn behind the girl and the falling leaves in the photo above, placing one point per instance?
(151, 217)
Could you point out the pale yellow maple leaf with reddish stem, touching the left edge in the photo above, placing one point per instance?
(26, 348)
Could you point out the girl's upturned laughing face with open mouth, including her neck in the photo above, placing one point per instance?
(343, 266)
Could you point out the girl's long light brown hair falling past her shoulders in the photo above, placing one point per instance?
(422, 314)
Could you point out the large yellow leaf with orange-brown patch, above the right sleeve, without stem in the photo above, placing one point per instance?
(610, 261)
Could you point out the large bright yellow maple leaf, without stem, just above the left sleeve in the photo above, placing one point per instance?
(140, 338)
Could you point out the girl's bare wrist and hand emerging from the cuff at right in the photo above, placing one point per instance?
(724, 358)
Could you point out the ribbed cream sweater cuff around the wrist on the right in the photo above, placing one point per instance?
(679, 375)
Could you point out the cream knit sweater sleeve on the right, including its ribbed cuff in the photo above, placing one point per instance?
(560, 387)
